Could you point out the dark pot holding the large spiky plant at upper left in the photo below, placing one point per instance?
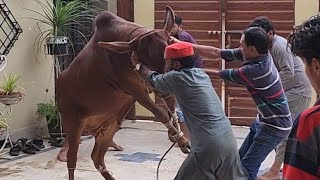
(58, 46)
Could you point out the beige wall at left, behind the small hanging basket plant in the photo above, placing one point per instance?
(35, 75)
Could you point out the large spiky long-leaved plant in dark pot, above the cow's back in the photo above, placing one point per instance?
(60, 18)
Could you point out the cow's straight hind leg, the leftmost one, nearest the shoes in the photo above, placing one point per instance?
(73, 127)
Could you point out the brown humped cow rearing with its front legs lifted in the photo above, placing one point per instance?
(100, 86)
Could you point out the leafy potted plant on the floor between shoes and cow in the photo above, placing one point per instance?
(50, 111)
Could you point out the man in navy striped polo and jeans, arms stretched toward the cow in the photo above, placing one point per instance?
(260, 76)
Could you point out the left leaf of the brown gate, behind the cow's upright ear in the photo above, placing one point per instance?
(201, 19)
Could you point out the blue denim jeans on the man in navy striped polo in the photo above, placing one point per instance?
(256, 147)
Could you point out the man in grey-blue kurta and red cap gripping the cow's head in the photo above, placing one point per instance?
(214, 153)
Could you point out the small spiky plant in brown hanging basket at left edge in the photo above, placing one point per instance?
(9, 94)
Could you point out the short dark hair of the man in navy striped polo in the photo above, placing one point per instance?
(257, 37)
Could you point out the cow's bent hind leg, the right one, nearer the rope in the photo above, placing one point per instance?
(103, 142)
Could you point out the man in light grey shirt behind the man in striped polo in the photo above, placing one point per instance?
(295, 83)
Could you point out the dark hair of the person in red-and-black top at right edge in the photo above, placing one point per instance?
(304, 41)
